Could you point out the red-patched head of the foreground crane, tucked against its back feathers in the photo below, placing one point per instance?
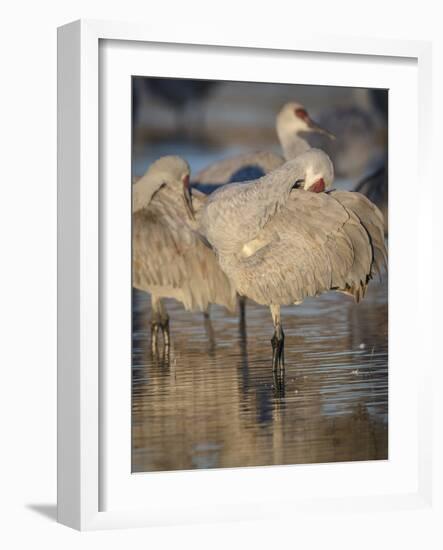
(311, 171)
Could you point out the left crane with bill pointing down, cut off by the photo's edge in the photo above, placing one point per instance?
(169, 259)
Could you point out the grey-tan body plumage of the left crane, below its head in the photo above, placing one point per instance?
(170, 260)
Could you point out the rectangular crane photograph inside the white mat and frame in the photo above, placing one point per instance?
(259, 274)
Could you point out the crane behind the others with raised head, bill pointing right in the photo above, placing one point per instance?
(293, 126)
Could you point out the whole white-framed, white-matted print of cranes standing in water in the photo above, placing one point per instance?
(229, 343)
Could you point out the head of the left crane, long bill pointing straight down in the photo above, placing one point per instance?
(174, 172)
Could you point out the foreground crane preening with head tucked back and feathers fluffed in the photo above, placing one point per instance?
(282, 238)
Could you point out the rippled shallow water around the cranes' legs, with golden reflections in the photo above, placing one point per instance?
(217, 405)
